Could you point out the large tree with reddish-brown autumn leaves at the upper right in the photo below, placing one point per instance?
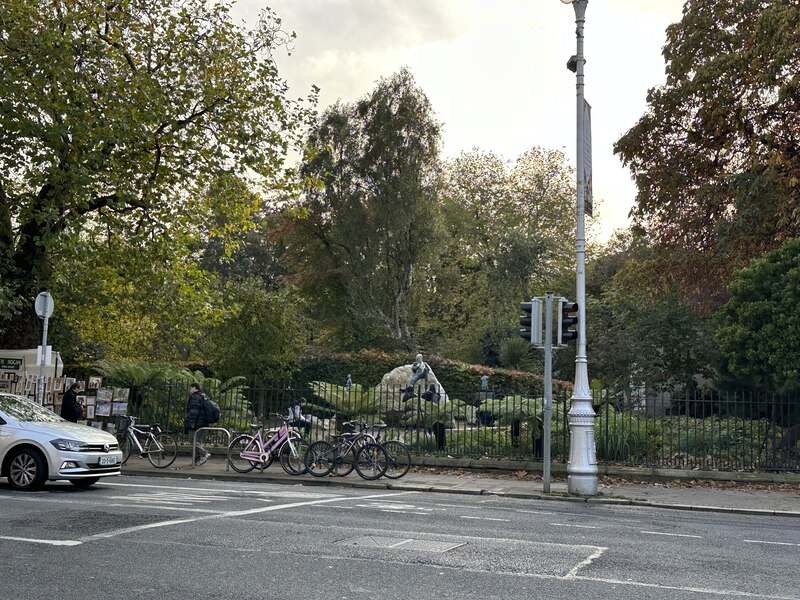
(715, 157)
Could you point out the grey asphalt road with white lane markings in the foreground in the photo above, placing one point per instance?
(139, 537)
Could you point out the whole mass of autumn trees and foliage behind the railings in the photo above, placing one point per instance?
(183, 209)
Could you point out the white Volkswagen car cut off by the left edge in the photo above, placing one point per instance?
(36, 445)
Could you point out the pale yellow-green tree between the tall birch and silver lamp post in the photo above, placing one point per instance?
(509, 232)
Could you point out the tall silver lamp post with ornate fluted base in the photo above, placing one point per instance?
(582, 466)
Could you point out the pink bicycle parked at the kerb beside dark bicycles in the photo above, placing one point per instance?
(247, 452)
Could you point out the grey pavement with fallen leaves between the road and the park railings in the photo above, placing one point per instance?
(742, 493)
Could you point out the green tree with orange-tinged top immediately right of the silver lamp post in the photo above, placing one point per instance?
(658, 339)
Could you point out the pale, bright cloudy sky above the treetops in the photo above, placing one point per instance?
(494, 71)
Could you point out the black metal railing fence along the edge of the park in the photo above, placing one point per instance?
(708, 430)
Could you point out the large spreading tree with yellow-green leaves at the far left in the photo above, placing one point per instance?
(117, 114)
